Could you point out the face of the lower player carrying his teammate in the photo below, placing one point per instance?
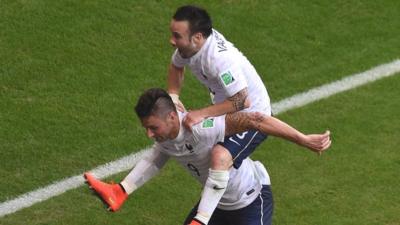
(157, 128)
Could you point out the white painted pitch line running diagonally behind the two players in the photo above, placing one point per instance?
(127, 162)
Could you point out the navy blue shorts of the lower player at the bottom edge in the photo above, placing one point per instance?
(259, 212)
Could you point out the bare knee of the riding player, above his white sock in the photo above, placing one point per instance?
(221, 158)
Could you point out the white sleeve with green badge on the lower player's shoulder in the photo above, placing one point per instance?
(211, 130)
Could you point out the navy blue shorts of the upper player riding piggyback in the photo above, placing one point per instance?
(242, 145)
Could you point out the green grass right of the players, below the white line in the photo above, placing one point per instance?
(353, 183)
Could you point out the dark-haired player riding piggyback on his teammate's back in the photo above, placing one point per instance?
(231, 79)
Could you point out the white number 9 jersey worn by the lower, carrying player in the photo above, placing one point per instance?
(193, 151)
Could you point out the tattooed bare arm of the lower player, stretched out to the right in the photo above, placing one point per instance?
(242, 121)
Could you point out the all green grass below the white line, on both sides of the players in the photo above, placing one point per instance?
(352, 183)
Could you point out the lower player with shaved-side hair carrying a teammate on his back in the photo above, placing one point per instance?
(240, 196)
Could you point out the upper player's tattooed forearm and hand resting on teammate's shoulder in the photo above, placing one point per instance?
(237, 102)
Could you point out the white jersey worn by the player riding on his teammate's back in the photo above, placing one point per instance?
(221, 67)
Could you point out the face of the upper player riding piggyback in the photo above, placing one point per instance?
(181, 38)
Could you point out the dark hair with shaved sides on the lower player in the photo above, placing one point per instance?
(154, 102)
